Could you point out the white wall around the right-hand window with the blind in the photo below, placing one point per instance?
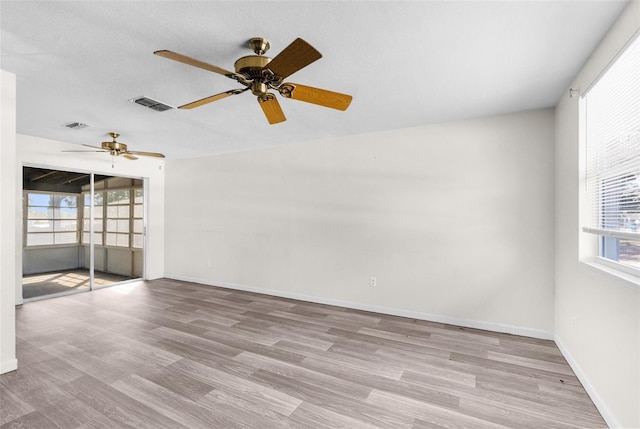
(597, 322)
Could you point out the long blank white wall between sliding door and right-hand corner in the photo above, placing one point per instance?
(455, 221)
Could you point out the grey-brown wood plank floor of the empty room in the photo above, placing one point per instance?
(171, 354)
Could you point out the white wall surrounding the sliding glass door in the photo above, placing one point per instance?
(48, 153)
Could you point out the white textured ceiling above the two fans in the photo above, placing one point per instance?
(406, 63)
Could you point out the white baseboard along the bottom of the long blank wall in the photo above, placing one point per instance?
(467, 323)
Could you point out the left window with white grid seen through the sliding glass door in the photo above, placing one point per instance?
(52, 219)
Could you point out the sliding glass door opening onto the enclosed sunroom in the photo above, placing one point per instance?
(81, 231)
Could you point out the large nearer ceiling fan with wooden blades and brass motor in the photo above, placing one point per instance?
(260, 74)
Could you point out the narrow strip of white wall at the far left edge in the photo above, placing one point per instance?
(8, 204)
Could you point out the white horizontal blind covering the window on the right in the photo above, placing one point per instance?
(612, 120)
